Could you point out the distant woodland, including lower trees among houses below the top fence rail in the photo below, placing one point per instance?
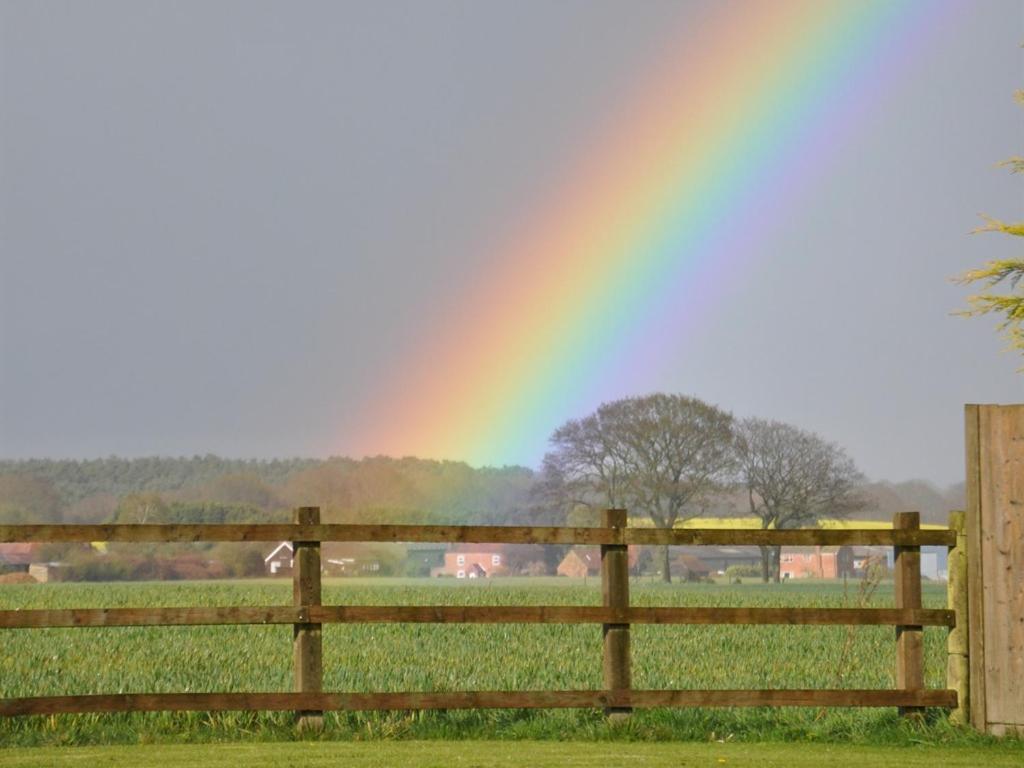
(376, 490)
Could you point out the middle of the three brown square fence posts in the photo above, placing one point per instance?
(616, 591)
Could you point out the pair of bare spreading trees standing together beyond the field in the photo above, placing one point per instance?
(667, 457)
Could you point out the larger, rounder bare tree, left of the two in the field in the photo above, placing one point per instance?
(661, 456)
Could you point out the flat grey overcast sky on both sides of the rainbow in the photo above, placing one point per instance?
(220, 221)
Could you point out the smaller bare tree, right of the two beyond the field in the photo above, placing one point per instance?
(793, 478)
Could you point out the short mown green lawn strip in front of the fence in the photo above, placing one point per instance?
(533, 754)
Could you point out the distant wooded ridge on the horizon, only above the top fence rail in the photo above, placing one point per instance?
(210, 489)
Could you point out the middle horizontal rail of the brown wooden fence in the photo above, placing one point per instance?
(36, 619)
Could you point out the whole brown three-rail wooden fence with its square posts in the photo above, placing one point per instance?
(308, 615)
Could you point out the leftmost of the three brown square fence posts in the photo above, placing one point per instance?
(308, 638)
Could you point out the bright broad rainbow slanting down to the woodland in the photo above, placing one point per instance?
(737, 123)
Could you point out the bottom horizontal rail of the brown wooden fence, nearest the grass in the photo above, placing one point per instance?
(470, 700)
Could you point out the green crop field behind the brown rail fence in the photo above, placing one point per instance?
(420, 658)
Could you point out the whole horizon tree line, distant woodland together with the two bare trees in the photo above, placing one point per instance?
(666, 458)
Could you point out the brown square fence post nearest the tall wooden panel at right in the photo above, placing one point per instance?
(910, 639)
